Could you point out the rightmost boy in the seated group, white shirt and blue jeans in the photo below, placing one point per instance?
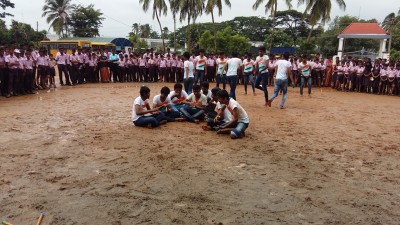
(239, 122)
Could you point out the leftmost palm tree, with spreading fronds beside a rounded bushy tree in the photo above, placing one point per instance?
(57, 12)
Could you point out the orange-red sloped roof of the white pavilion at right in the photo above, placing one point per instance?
(364, 30)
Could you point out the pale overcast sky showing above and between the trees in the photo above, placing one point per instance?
(121, 14)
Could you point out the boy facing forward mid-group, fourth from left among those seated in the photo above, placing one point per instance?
(195, 104)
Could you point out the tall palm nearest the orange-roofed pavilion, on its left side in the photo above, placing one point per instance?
(319, 10)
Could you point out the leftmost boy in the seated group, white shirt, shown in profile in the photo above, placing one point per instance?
(143, 115)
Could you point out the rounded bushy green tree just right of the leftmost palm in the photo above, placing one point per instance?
(86, 21)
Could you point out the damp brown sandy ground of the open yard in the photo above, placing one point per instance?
(74, 154)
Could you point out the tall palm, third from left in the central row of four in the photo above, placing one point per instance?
(190, 10)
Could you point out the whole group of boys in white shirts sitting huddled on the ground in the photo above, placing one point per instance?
(222, 113)
